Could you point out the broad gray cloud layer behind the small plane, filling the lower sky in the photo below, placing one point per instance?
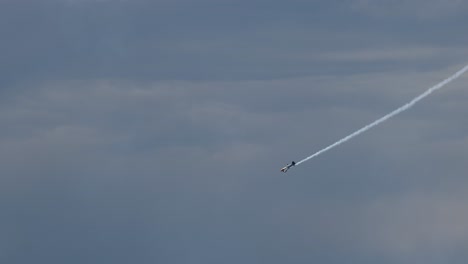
(171, 170)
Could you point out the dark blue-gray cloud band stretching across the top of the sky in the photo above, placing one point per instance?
(160, 40)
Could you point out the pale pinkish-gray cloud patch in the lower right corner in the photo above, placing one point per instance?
(418, 223)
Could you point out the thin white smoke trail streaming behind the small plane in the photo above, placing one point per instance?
(390, 115)
